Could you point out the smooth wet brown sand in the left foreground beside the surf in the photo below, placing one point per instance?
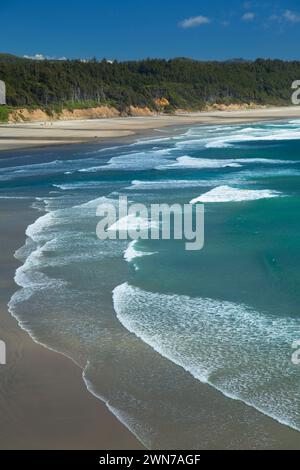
(44, 402)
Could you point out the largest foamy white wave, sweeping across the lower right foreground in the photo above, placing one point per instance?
(204, 335)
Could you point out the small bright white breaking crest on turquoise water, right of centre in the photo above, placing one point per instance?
(228, 194)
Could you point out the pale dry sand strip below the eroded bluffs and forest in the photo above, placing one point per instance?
(39, 134)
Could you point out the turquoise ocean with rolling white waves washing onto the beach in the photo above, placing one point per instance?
(148, 321)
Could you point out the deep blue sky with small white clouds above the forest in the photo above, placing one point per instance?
(133, 29)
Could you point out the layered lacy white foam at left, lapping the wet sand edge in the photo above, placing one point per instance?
(52, 242)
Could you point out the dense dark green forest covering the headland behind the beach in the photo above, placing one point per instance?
(185, 83)
